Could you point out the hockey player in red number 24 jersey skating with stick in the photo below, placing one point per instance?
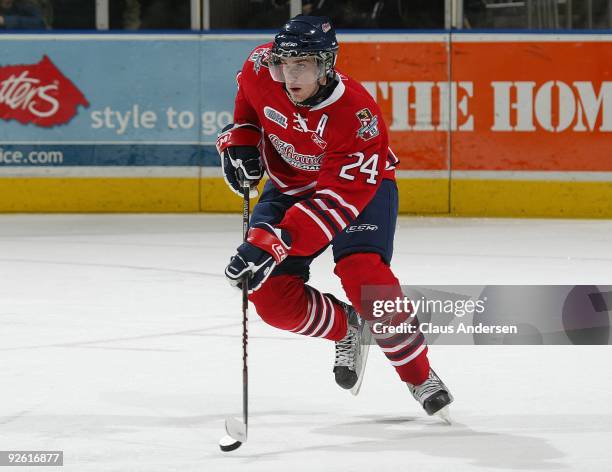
(322, 140)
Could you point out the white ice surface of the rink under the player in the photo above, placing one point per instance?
(120, 345)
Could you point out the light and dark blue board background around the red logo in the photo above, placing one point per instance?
(182, 74)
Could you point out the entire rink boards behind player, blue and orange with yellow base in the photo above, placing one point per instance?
(484, 124)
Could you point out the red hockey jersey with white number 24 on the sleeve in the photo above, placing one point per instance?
(335, 153)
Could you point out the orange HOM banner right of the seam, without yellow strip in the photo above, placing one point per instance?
(539, 103)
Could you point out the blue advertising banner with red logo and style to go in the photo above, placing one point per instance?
(116, 101)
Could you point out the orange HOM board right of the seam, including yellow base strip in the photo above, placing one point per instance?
(540, 110)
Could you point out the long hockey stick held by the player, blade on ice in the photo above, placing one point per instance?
(236, 429)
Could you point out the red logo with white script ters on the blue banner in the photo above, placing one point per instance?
(39, 94)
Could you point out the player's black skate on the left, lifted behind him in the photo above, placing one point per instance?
(352, 350)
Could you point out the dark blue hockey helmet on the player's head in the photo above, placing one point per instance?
(307, 36)
